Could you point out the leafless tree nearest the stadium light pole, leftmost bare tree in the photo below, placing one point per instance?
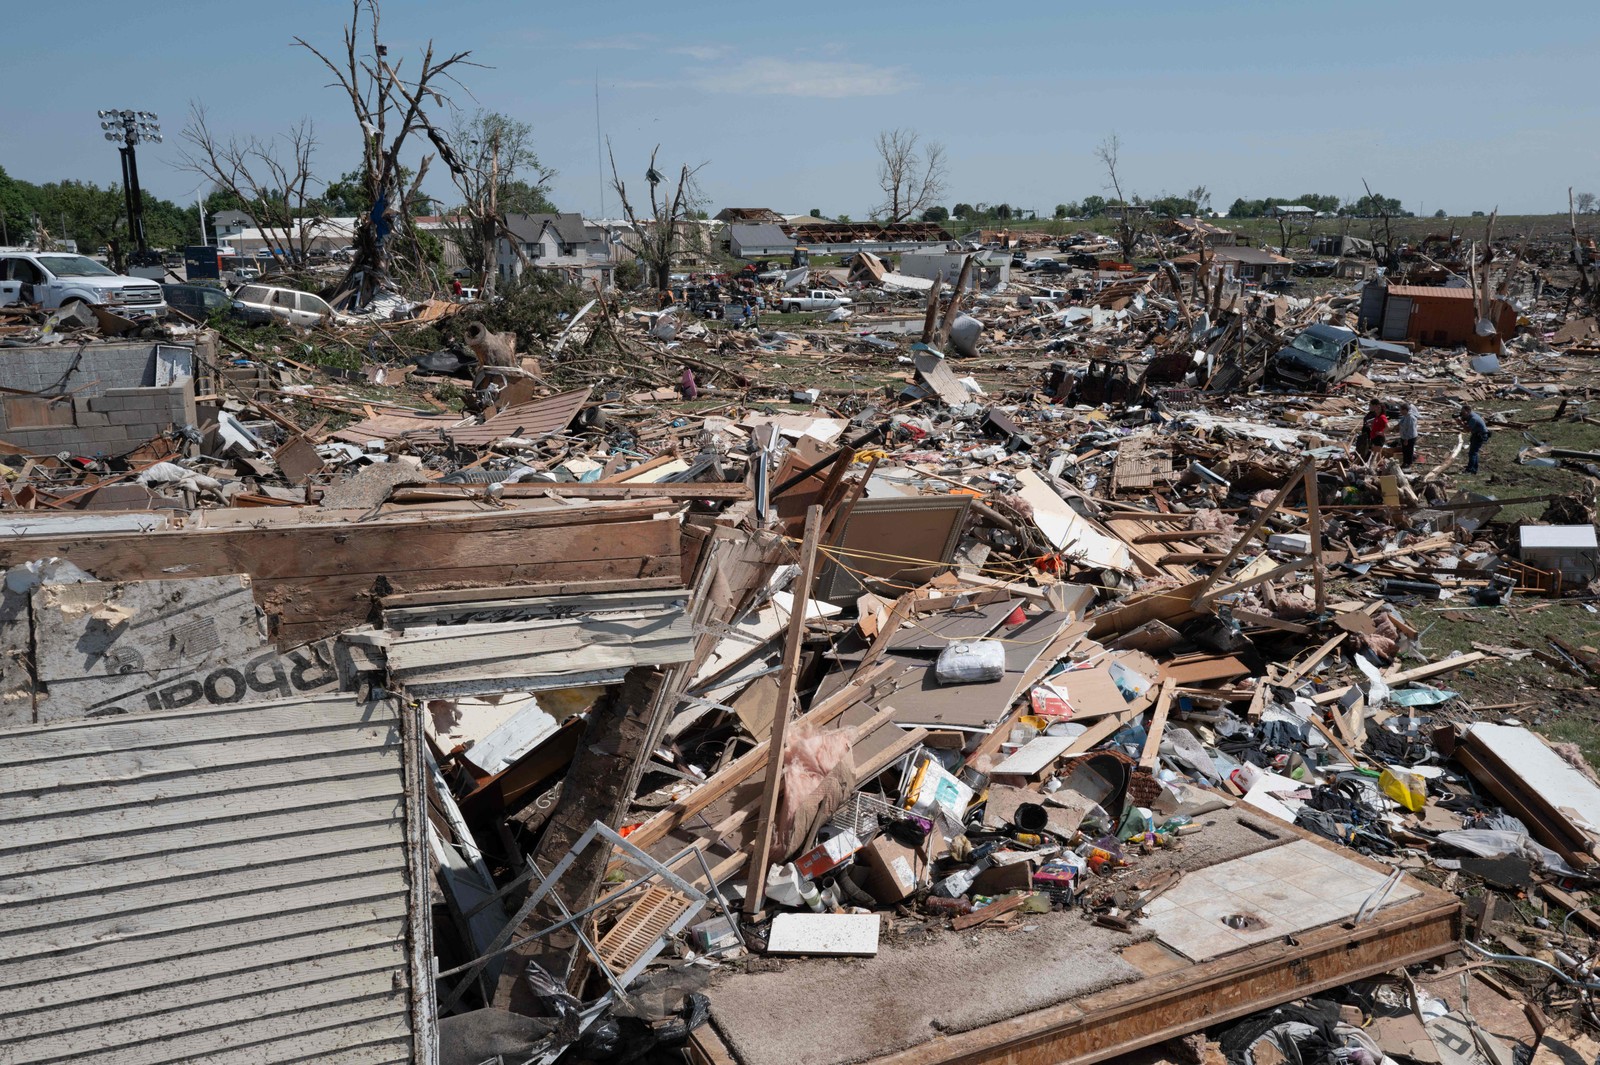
(271, 180)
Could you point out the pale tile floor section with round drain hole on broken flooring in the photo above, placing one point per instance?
(1281, 891)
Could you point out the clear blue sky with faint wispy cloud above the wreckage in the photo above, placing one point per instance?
(1460, 106)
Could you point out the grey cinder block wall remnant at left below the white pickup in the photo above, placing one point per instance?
(114, 402)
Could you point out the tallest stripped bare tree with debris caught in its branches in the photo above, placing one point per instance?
(390, 108)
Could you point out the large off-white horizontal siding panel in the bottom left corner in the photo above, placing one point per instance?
(222, 885)
